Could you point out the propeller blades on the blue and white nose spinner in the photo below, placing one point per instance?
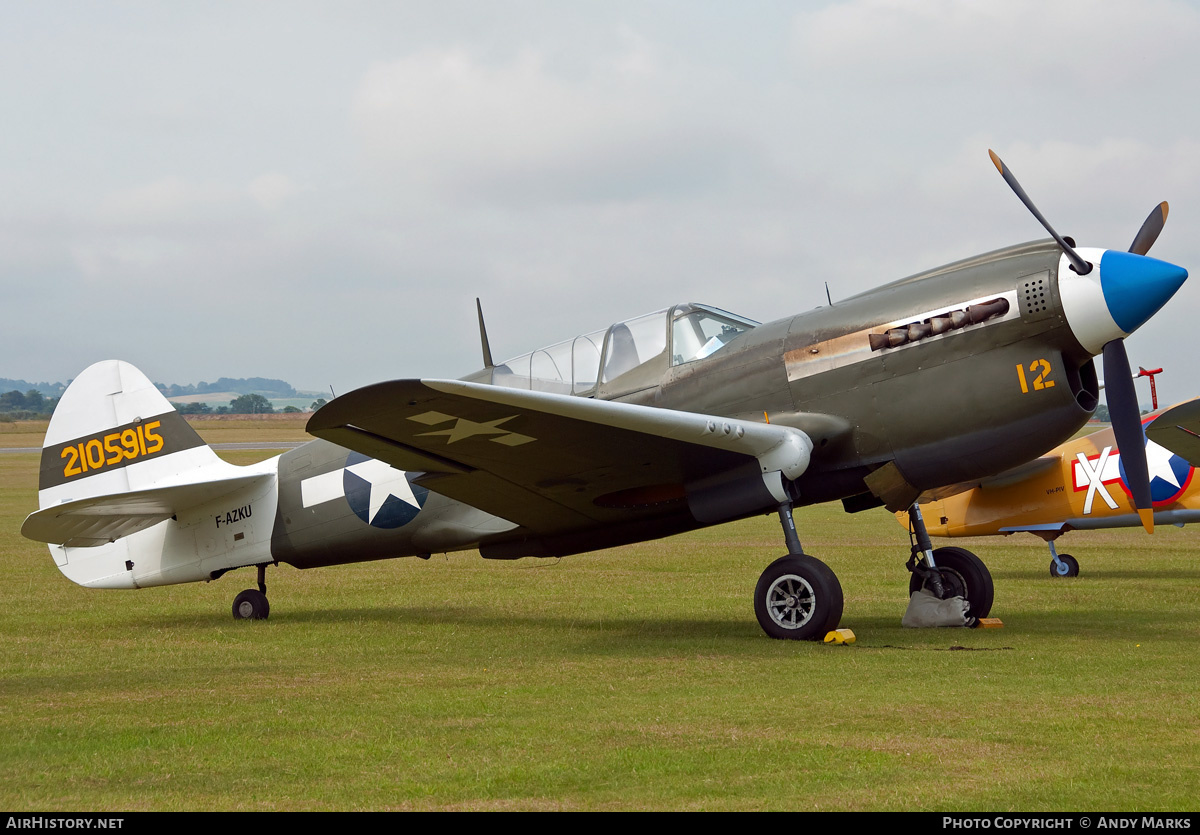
(1119, 387)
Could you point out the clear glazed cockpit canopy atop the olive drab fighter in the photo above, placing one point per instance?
(627, 357)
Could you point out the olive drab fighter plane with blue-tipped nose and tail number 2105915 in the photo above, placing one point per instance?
(657, 425)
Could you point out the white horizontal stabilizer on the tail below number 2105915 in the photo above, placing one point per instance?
(99, 520)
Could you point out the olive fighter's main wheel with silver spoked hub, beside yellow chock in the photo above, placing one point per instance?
(799, 598)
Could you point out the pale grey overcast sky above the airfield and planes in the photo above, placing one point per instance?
(319, 191)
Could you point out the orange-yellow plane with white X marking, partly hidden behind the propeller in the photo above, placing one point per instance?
(1082, 485)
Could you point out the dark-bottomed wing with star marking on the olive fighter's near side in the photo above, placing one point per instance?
(553, 462)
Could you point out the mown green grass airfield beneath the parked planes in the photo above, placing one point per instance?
(634, 678)
